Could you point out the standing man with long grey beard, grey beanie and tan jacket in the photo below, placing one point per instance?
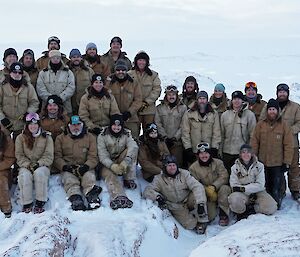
(200, 124)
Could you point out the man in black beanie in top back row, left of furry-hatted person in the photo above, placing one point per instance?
(114, 54)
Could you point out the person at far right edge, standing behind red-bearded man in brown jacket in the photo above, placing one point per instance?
(290, 113)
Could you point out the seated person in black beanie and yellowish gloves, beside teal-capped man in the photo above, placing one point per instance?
(117, 153)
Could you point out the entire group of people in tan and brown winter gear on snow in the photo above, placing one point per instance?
(92, 116)
